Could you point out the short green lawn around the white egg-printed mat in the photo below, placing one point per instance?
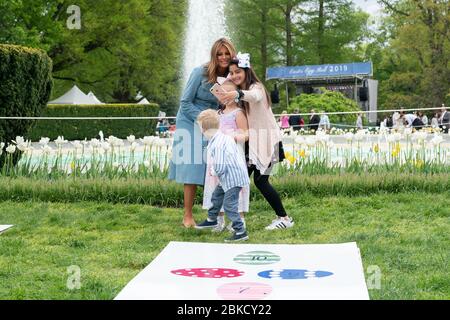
(406, 235)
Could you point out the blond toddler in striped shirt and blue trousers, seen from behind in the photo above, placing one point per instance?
(231, 171)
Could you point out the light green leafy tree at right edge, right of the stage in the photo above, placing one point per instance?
(415, 52)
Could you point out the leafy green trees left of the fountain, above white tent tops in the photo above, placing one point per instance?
(121, 48)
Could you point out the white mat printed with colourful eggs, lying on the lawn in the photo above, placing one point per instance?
(210, 271)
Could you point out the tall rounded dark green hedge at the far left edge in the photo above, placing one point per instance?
(25, 87)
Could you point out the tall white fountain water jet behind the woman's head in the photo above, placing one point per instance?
(206, 24)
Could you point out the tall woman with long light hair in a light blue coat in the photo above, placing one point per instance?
(188, 161)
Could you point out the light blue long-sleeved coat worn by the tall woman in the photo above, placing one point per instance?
(188, 163)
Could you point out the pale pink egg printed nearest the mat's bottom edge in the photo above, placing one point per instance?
(244, 291)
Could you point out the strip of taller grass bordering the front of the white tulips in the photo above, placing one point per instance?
(163, 193)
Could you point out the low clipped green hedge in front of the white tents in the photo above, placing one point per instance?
(81, 129)
